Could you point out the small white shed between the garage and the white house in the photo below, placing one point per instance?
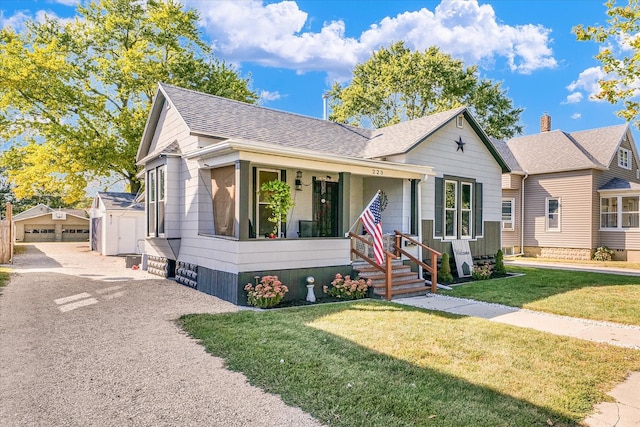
(118, 224)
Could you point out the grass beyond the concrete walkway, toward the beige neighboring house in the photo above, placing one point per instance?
(589, 295)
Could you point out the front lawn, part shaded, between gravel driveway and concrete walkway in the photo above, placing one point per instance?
(373, 363)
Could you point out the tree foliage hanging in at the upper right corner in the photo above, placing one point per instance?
(622, 65)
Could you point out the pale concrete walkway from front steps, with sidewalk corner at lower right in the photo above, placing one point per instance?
(625, 411)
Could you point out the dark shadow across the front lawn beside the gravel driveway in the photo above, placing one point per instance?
(344, 383)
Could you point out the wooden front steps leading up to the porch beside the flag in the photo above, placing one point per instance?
(406, 283)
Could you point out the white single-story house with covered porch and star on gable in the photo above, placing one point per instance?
(205, 158)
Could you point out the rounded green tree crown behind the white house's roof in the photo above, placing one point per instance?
(396, 84)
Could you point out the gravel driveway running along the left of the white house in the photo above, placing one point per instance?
(86, 342)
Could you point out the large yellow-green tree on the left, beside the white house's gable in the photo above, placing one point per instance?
(74, 96)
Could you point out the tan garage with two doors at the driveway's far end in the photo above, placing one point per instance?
(44, 224)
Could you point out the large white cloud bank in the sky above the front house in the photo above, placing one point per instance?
(274, 35)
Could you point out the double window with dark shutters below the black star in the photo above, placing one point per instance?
(458, 208)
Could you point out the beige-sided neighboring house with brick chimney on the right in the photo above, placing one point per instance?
(569, 193)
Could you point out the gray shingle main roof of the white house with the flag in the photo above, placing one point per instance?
(225, 119)
